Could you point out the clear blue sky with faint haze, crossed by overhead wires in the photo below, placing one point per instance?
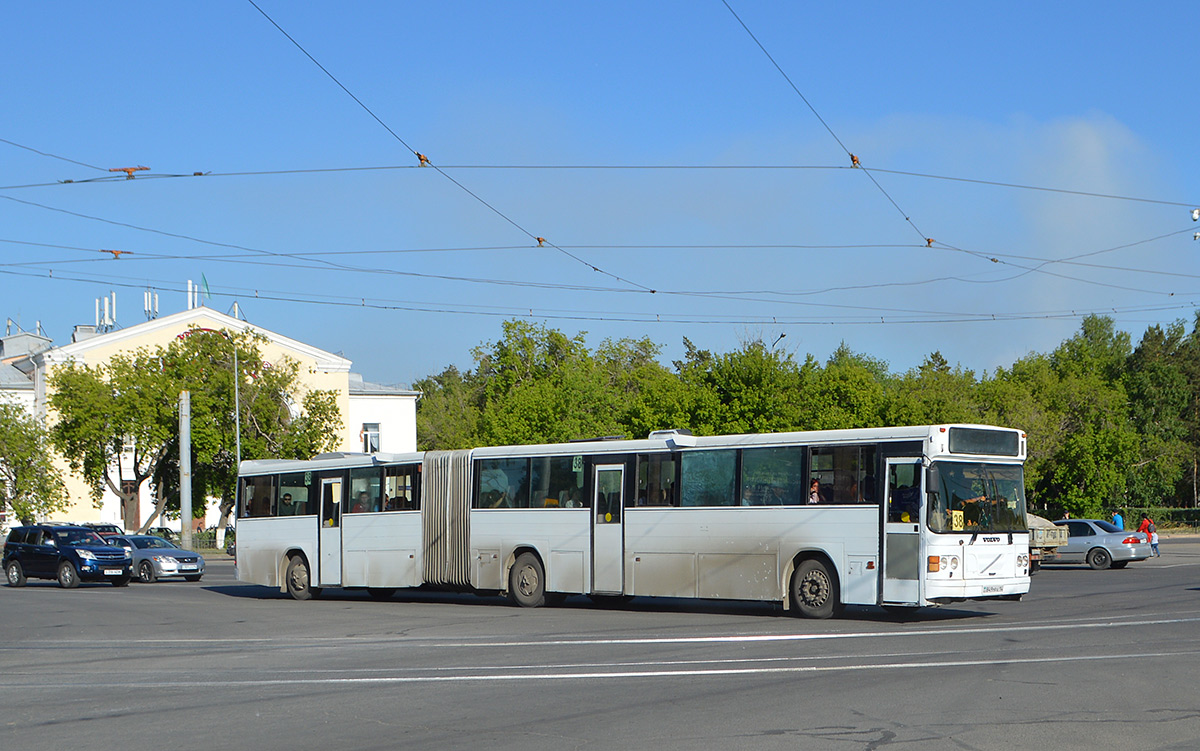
(560, 121)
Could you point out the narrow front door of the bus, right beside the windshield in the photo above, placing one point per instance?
(902, 533)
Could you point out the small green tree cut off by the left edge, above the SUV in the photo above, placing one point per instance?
(31, 484)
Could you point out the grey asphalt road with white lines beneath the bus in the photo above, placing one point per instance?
(1088, 660)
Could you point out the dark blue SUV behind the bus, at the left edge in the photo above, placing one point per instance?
(70, 555)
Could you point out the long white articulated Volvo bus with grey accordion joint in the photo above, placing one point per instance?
(899, 516)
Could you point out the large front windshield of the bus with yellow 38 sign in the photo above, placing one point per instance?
(976, 497)
